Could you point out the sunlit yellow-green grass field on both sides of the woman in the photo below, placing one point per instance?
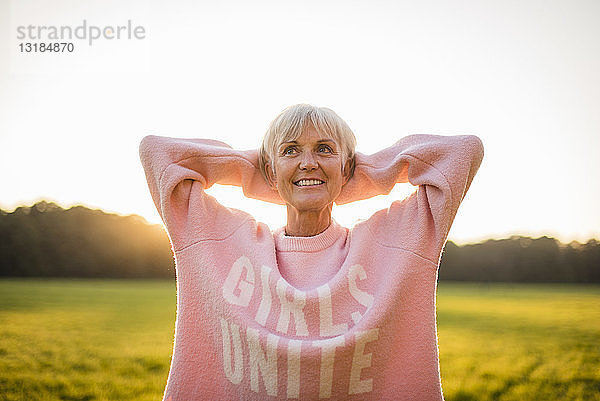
(111, 340)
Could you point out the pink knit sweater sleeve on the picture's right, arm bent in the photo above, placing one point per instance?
(442, 167)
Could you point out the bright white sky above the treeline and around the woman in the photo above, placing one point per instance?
(521, 75)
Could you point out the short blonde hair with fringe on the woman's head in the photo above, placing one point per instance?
(289, 124)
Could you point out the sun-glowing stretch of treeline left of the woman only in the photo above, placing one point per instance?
(45, 240)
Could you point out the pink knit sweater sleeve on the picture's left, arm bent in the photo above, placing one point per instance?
(179, 170)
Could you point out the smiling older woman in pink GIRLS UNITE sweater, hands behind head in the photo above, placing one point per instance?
(312, 310)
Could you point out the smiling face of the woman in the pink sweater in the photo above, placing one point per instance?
(309, 171)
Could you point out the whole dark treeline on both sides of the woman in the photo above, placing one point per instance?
(45, 240)
